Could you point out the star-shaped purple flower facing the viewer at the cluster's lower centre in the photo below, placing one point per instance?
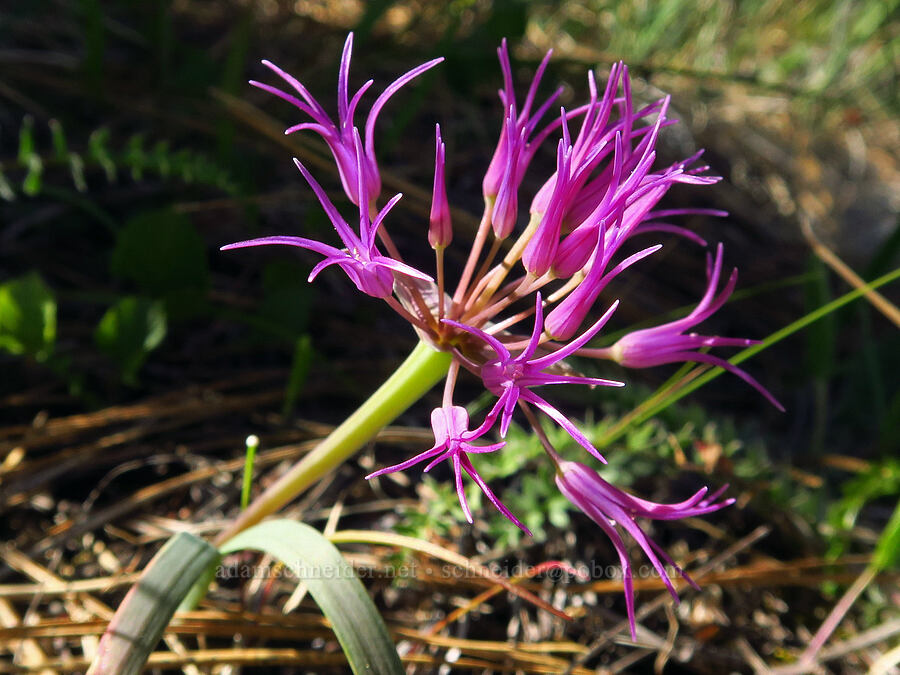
(511, 378)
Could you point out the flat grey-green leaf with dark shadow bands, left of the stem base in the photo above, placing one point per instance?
(145, 612)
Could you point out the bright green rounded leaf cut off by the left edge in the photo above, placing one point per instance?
(27, 317)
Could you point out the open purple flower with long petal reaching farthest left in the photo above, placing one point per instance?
(371, 272)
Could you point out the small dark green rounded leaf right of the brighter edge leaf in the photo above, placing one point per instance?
(129, 331)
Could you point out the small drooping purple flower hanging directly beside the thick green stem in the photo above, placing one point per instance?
(452, 441)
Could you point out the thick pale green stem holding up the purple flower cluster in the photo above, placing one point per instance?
(423, 368)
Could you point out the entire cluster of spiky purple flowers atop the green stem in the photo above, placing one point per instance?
(602, 195)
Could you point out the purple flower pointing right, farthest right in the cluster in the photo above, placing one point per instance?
(668, 343)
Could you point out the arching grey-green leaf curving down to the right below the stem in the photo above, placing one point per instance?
(334, 586)
